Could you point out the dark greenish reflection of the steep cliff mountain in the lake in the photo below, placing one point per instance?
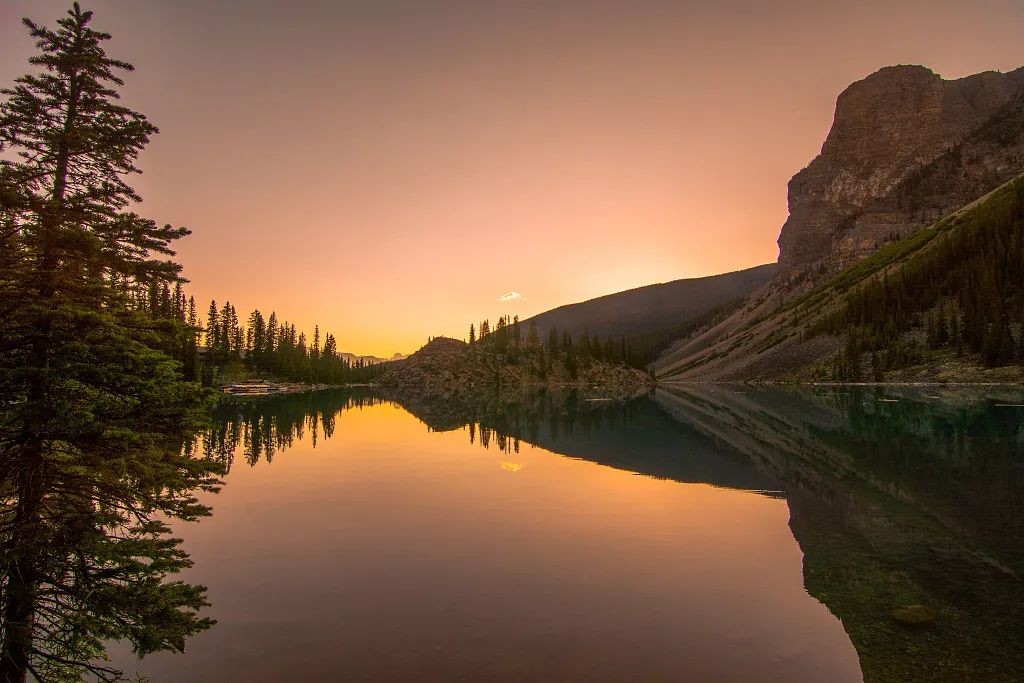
(909, 506)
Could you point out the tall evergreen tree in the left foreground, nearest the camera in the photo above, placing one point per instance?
(96, 414)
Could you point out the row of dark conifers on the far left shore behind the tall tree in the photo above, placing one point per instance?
(221, 348)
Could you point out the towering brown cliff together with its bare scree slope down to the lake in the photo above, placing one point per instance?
(907, 149)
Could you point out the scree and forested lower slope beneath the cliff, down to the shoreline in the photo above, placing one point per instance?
(946, 304)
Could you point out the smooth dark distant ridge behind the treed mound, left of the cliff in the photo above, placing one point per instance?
(648, 310)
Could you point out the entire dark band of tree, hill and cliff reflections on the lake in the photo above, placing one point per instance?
(908, 505)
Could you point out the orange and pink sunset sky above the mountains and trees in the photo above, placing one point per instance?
(392, 169)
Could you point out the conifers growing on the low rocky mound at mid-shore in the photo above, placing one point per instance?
(507, 339)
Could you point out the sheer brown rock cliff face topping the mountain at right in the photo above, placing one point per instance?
(906, 148)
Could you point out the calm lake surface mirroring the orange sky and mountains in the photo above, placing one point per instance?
(702, 534)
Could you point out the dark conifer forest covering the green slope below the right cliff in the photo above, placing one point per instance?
(965, 295)
